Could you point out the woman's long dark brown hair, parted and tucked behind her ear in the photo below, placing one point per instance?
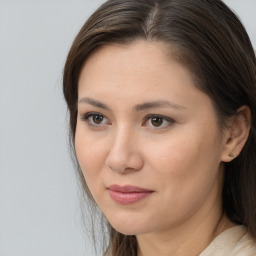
(208, 38)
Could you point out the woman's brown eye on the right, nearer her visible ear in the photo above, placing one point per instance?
(158, 121)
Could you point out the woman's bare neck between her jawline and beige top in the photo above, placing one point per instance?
(190, 238)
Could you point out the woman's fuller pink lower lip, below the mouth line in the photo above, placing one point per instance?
(128, 198)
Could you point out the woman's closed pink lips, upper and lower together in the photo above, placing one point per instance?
(128, 194)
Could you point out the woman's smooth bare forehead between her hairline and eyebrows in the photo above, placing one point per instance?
(139, 64)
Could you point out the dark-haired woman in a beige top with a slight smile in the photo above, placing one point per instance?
(162, 101)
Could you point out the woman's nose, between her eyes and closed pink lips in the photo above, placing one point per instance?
(124, 155)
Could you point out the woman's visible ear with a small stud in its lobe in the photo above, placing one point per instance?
(237, 134)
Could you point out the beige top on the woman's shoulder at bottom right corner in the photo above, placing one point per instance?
(232, 242)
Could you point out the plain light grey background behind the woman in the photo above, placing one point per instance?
(39, 204)
